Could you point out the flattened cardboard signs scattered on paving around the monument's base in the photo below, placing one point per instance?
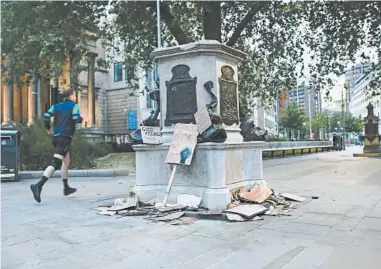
(250, 205)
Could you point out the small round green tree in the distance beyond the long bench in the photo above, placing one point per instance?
(294, 118)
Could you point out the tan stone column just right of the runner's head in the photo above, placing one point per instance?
(91, 90)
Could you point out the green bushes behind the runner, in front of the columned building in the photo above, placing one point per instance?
(37, 149)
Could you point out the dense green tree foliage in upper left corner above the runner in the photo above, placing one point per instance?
(40, 37)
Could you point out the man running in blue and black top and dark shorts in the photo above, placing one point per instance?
(66, 115)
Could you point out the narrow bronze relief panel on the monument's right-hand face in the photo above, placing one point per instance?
(228, 93)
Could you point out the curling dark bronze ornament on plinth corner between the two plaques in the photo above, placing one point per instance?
(215, 133)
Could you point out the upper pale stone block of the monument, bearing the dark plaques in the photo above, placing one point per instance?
(197, 63)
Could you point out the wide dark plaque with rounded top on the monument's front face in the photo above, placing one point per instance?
(181, 96)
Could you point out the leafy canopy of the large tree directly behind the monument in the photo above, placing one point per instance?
(276, 36)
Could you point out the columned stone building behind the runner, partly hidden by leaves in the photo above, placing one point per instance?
(110, 109)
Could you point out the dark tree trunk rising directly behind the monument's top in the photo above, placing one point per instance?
(212, 20)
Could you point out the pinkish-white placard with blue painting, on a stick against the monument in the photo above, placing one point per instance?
(183, 144)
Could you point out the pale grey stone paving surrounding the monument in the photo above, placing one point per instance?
(341, 229)
